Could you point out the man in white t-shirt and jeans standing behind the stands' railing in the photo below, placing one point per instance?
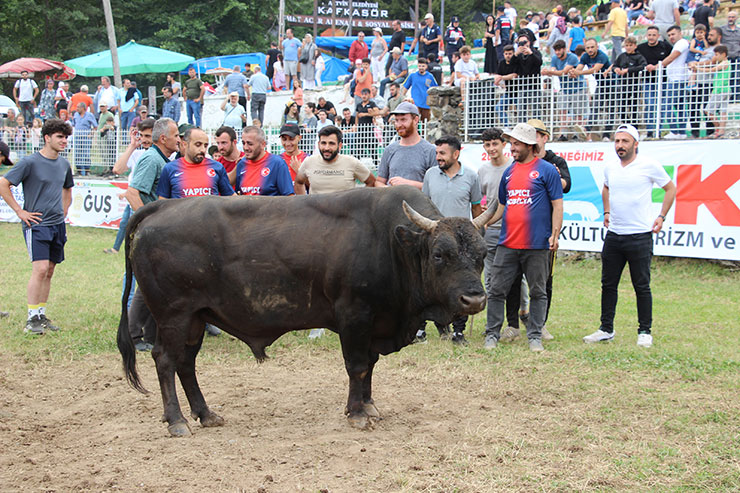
(676, 94)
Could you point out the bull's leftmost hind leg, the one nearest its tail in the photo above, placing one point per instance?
(169, 354)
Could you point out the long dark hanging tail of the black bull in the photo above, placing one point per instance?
(123, 338)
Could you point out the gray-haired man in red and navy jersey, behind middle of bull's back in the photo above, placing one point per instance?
(259, 172)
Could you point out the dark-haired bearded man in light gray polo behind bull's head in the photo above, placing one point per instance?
(456, 192)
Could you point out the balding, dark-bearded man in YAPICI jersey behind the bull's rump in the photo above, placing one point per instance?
(193, 175)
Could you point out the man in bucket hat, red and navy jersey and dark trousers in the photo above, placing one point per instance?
(531, 209)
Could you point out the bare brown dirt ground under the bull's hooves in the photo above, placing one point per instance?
(448, 424)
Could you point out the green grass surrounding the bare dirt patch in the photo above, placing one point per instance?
(658, 419)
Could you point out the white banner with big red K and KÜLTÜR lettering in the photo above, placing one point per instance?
(704, 222)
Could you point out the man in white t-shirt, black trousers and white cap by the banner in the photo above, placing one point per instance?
(631, 222)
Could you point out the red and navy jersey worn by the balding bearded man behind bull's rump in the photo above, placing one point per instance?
(181, 178)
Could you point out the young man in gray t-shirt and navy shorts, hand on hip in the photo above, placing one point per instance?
(47, 190)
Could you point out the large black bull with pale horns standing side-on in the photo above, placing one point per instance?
(361, 263)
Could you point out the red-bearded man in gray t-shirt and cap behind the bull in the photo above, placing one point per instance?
(406, 161)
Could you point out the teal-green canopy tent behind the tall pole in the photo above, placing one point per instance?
(133, 58)
